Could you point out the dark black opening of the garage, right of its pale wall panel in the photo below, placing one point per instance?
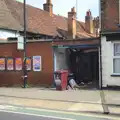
(84, 64)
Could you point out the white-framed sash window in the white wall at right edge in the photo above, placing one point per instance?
(116, 58)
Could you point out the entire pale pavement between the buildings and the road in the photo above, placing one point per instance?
(88, 101)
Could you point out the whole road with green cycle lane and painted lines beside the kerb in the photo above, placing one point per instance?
(9, 112)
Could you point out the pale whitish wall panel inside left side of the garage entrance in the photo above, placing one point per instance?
(60, 59)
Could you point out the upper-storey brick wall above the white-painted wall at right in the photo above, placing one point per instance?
(109, 15)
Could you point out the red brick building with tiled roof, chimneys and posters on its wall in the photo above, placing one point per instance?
(45, 31)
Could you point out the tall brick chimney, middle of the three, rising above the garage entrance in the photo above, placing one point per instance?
(72, 24)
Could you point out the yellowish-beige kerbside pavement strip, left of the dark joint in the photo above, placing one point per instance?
(55, 105)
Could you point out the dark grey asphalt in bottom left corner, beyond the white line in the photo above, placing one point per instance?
(17, 116)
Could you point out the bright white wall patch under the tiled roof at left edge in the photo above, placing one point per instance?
(4, 34)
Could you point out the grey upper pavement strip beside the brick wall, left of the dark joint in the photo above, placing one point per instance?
(88, 96)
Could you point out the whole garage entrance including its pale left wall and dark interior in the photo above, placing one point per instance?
(82, 62)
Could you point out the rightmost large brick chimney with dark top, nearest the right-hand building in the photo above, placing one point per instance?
(89, 22)
